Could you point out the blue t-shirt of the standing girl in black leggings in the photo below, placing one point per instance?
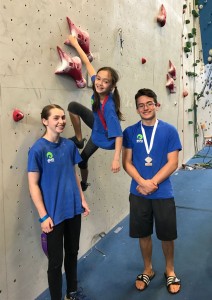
(55, 163)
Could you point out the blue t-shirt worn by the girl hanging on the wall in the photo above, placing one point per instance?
(101, 137)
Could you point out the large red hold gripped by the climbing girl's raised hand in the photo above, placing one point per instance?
(82, 37)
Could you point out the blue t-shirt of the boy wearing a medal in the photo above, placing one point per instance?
(166, 140)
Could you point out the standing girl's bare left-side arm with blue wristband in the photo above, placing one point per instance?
(35, 192)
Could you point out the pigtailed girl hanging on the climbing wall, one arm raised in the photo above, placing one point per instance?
(104, 119)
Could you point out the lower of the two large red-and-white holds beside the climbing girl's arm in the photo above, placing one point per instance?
(71, 66)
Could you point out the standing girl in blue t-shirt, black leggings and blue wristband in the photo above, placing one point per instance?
(56, 192)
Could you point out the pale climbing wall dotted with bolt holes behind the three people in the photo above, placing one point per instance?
(30, 31)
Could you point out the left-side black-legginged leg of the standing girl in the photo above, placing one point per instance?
(55, 260)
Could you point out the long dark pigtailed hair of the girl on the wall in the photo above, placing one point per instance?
(116, 96)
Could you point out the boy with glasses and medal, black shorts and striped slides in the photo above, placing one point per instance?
(150, 156)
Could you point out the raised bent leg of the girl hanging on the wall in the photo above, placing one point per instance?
(77, 112)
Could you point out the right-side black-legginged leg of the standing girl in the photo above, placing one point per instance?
(71, 246)
